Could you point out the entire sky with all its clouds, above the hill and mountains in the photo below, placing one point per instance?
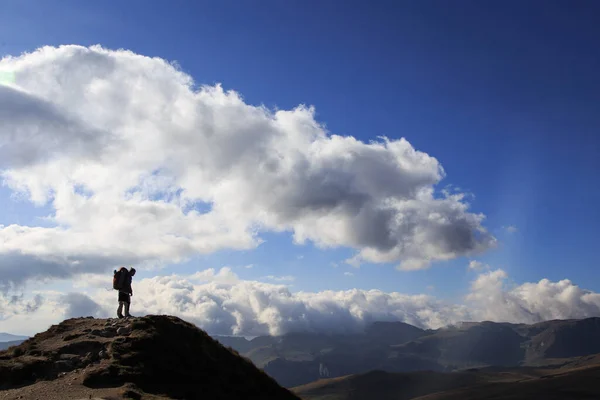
(276, 166)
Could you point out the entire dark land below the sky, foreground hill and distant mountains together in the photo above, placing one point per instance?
(163, 357)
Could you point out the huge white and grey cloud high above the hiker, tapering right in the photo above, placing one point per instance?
(140, 165)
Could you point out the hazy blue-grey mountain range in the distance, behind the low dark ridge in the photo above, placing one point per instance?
(300, 358)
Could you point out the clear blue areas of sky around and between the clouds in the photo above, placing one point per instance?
(504, 95)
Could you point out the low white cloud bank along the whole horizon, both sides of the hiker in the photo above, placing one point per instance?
(221, 303)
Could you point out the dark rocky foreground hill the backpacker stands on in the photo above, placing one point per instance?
(149, 357)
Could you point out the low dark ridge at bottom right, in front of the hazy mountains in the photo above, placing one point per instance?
(488, 383)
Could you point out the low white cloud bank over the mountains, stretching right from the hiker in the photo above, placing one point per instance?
(254, 308)
